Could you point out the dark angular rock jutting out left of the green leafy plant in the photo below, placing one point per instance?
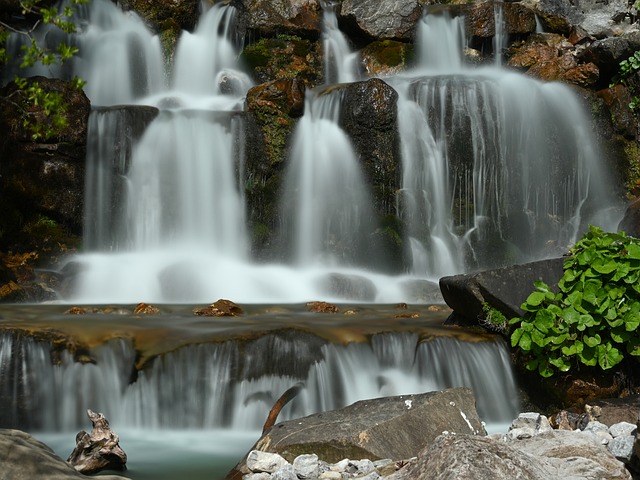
(504, 289)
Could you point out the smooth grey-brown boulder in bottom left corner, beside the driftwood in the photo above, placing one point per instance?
(24, 458)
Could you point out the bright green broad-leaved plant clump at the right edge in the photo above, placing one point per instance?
(593, 320)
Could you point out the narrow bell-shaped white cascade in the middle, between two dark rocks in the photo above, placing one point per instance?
(325, 197)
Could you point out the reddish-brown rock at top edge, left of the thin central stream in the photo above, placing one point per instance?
(270, 18)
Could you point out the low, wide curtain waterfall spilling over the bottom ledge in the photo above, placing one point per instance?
(215, 386)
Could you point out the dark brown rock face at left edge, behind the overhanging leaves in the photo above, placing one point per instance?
(45, 177)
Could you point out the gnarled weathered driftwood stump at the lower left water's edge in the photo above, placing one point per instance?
(98, 450)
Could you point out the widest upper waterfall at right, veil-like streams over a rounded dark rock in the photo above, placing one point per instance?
(492, 175)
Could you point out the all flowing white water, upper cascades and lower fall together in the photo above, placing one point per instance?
(497, 168)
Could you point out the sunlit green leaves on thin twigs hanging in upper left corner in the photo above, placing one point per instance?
(49, 103)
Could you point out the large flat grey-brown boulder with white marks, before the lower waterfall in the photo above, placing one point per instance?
(391, 427)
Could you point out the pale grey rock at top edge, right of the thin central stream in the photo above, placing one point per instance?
(381, 20)
